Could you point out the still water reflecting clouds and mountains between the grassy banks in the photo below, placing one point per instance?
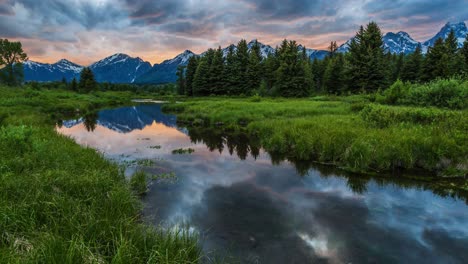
(255, 208)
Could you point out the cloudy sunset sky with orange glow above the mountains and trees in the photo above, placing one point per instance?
(85, 31)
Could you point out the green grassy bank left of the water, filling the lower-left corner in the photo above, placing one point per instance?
(61, 203)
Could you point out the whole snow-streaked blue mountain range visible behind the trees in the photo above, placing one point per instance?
(121, 68)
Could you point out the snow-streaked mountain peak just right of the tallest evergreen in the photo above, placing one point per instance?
(400, 42)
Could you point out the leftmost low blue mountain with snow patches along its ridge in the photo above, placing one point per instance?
(44, 72)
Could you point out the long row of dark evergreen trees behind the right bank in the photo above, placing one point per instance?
(366, 67)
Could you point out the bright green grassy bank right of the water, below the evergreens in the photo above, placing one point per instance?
(351, 132)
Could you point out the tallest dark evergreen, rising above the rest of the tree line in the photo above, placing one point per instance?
(366, 60)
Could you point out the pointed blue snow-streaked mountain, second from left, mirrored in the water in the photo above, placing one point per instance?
(119, 68)
